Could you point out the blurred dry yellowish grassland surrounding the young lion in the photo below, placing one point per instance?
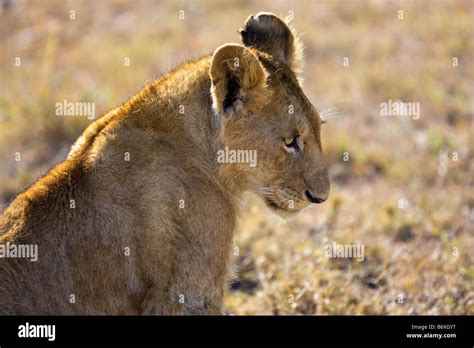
(401, 187)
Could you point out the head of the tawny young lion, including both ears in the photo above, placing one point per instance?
(262, 108)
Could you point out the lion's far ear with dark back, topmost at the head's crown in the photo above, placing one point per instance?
(272, 35)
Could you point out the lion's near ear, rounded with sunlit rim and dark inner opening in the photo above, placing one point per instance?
(236, 77)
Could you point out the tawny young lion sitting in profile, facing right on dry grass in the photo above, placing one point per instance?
(140, 217)
